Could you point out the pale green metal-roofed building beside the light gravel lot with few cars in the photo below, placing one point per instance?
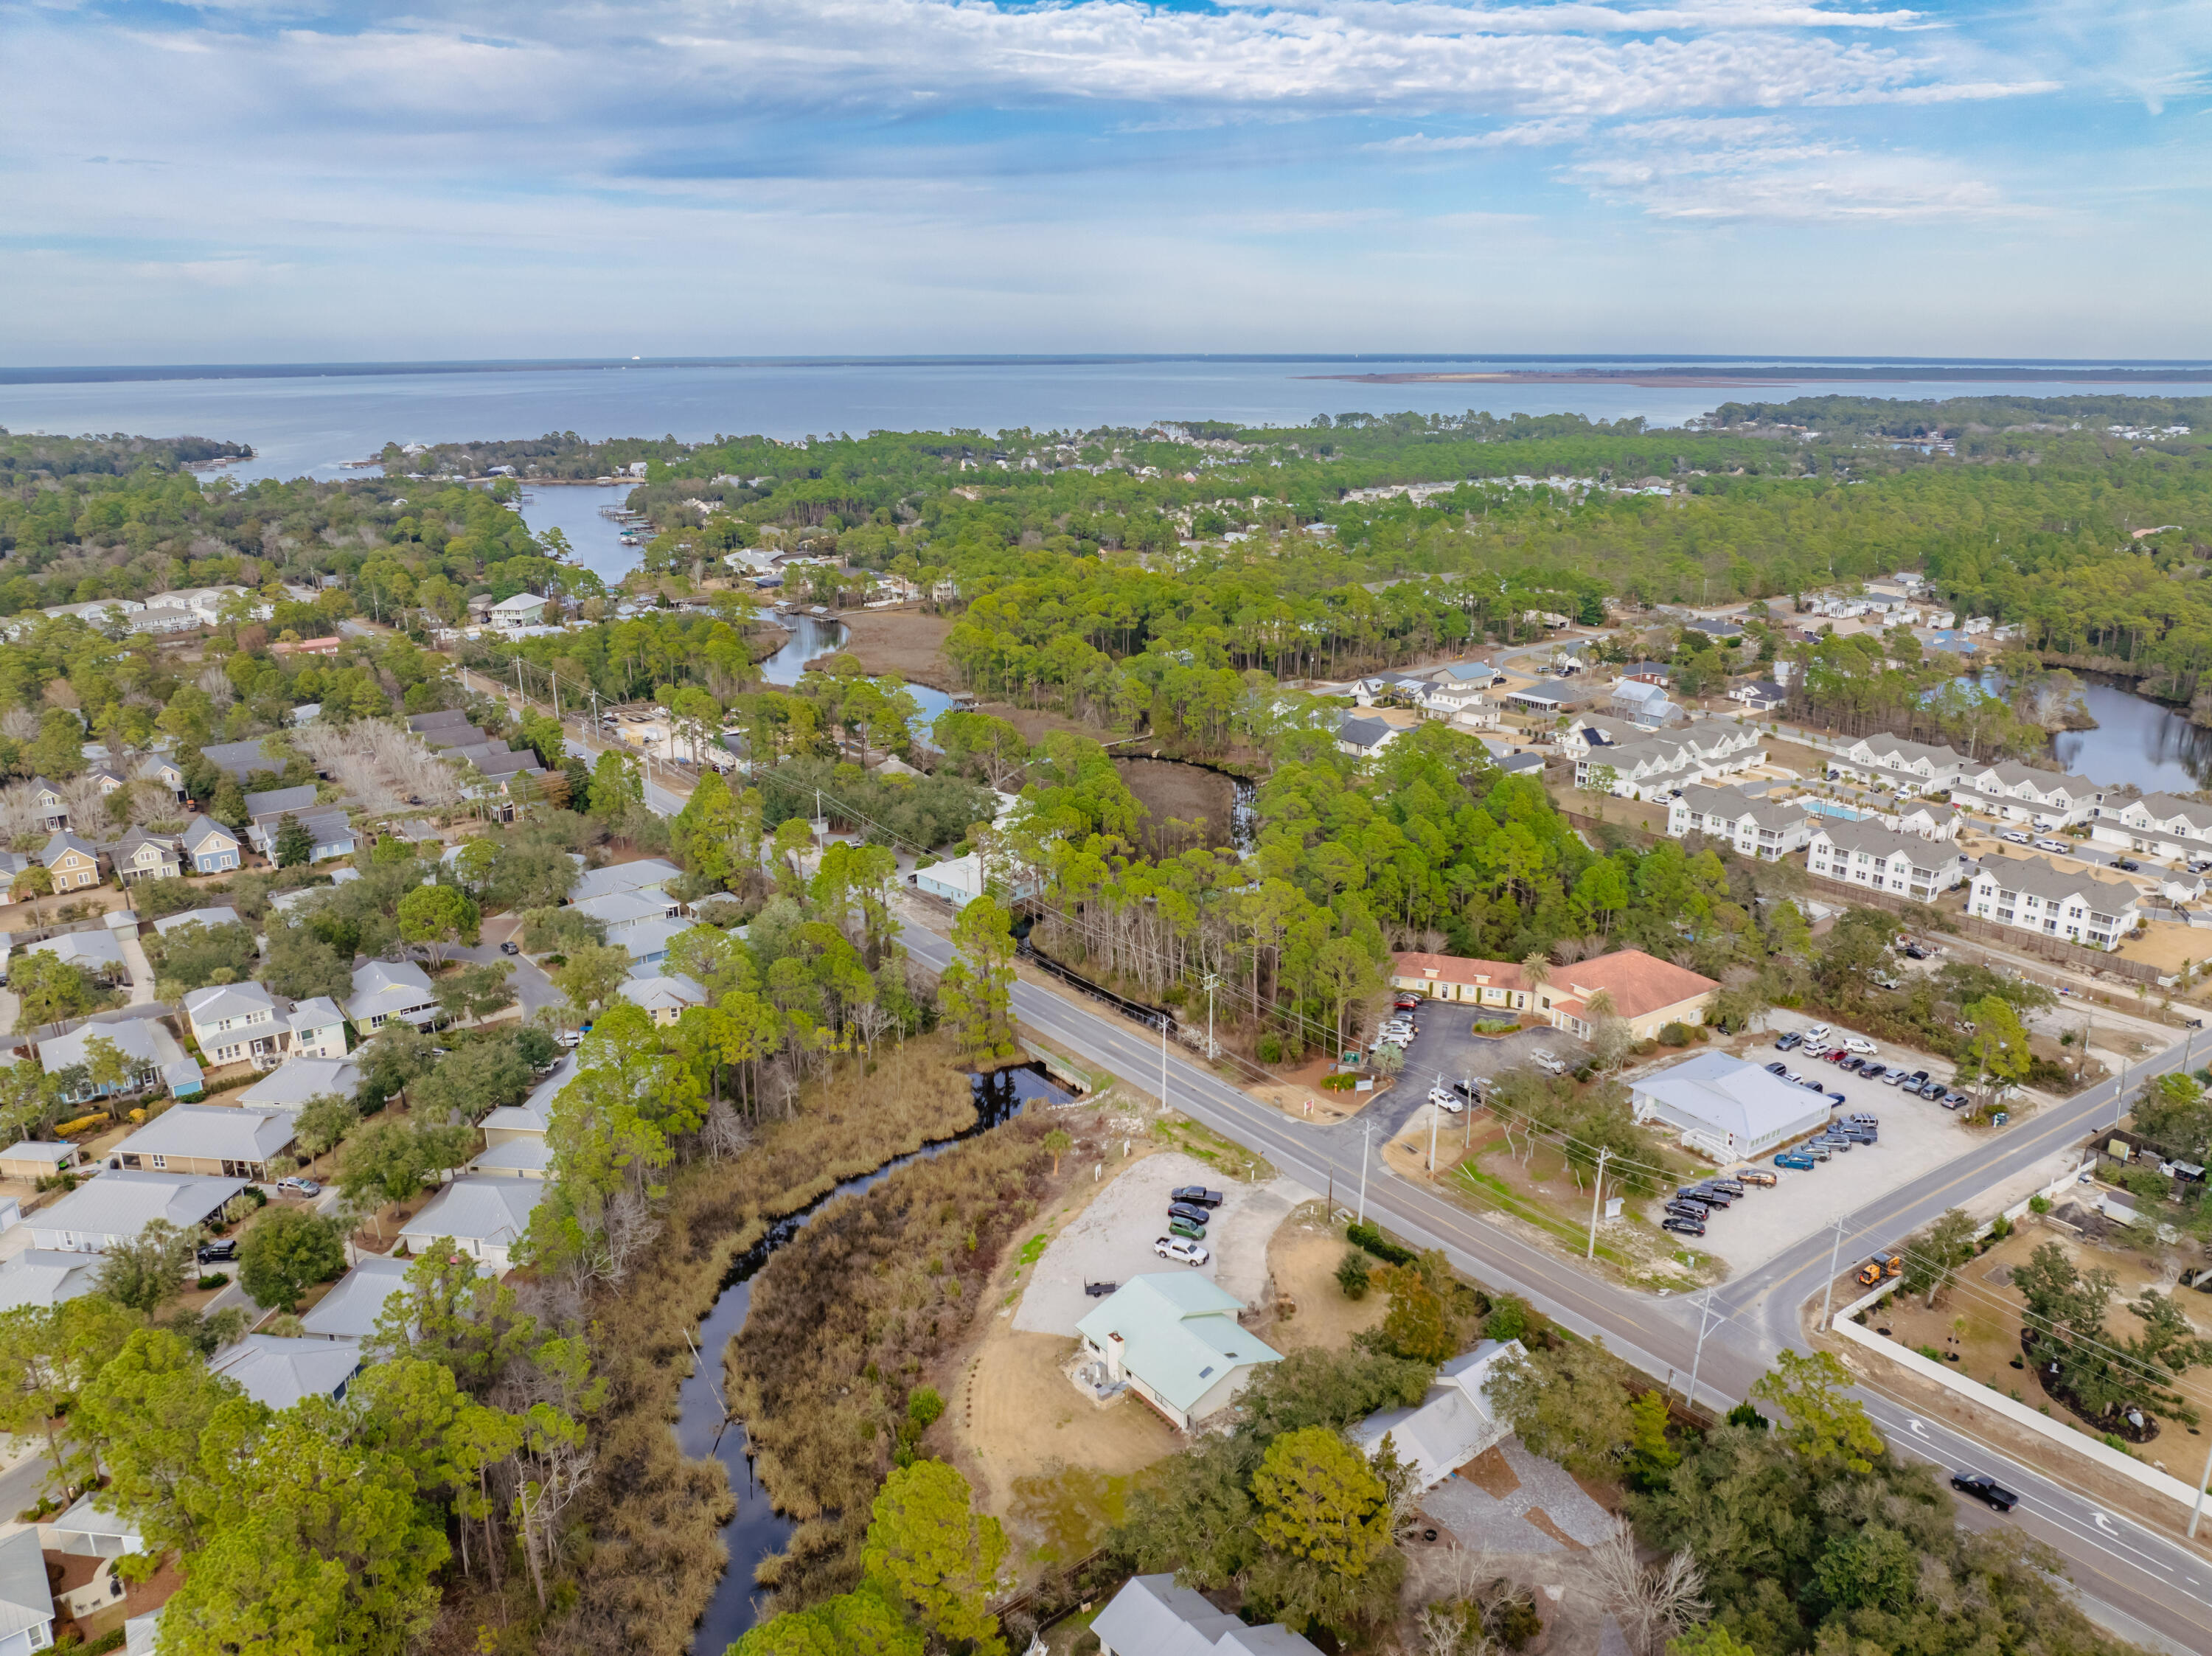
(1176, 1343)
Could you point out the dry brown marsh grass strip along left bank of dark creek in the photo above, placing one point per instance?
(651, 1547)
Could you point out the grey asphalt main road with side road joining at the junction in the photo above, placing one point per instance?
(2138, 1582)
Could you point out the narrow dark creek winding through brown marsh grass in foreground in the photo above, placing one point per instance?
(758, 1531)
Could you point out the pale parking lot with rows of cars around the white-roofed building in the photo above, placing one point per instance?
(1917, 1135)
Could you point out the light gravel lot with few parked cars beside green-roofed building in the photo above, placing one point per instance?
(1112, 1241)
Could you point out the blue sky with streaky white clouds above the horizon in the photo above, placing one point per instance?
(311, 180)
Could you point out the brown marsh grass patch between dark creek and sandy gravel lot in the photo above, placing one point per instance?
(846, 1323)
